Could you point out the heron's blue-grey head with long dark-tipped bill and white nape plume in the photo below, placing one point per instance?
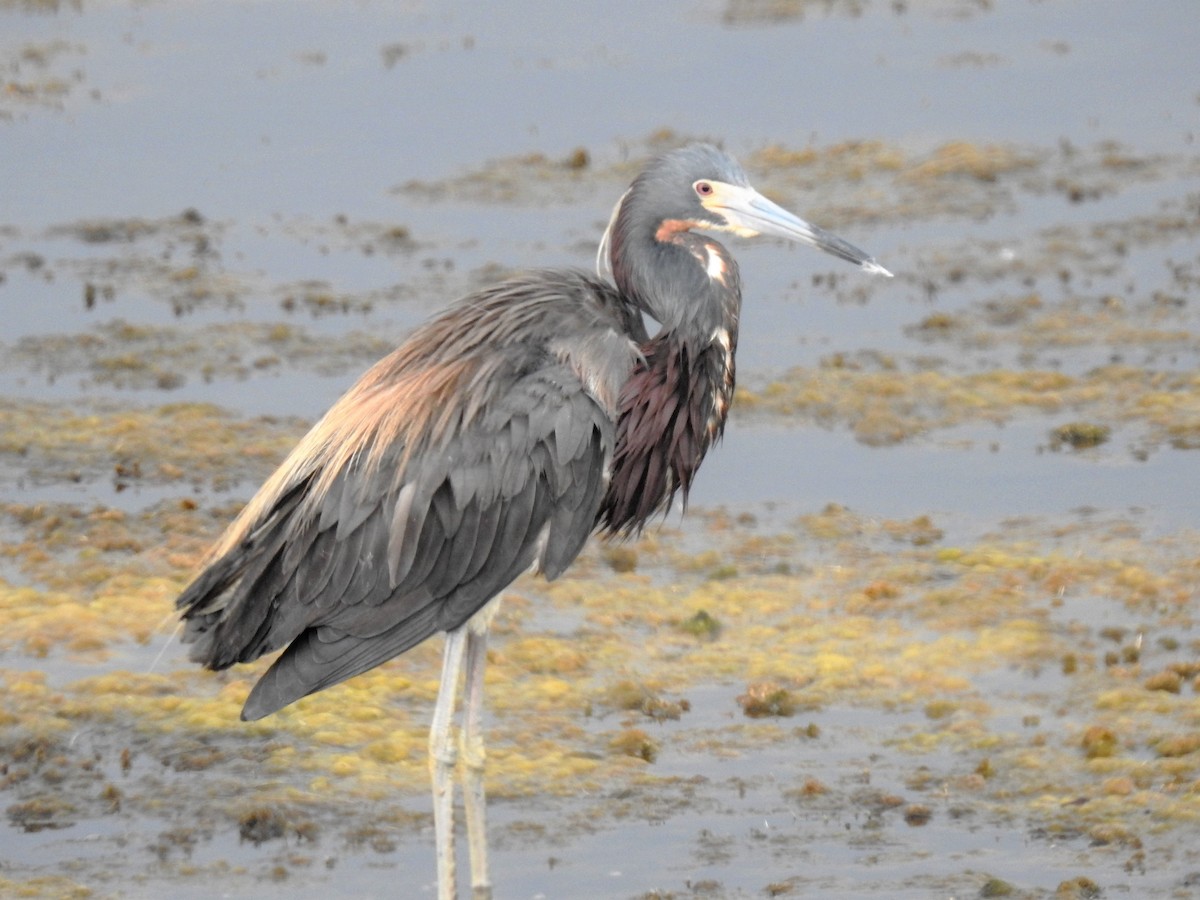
(700, 187)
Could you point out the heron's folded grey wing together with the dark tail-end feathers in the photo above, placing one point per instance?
(405, 542)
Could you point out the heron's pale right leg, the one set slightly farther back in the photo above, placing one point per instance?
(473, 759)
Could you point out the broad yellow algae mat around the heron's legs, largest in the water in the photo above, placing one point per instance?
(955, 615)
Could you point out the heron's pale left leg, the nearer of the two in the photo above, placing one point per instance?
(442, 761)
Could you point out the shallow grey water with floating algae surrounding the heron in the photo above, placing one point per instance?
(929, 628)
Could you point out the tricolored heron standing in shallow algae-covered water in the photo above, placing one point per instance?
(497, 439)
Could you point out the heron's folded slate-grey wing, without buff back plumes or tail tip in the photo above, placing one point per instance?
(386, 566)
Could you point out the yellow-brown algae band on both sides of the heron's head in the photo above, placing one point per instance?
(857, 182)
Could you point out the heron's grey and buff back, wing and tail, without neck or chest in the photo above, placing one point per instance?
(416, 530)
